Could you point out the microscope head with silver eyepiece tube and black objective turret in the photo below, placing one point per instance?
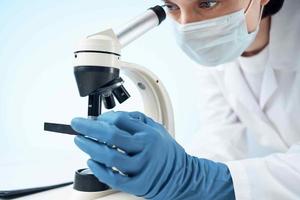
(97, 59)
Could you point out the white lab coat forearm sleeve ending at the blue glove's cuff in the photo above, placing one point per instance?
(273, 177)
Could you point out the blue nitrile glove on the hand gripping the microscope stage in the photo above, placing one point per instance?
(156, 166)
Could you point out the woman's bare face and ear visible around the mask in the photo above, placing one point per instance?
(187, 11)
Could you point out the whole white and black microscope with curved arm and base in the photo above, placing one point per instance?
(97, 71)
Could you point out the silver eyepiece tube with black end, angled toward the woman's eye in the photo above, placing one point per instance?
(140, 25)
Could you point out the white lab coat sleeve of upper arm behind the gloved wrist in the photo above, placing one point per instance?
(220, 136)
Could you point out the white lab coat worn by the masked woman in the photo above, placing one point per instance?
(257, 137)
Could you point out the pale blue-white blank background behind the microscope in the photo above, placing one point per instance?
(37, 40)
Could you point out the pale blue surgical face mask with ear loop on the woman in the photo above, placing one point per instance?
(216, 41)
